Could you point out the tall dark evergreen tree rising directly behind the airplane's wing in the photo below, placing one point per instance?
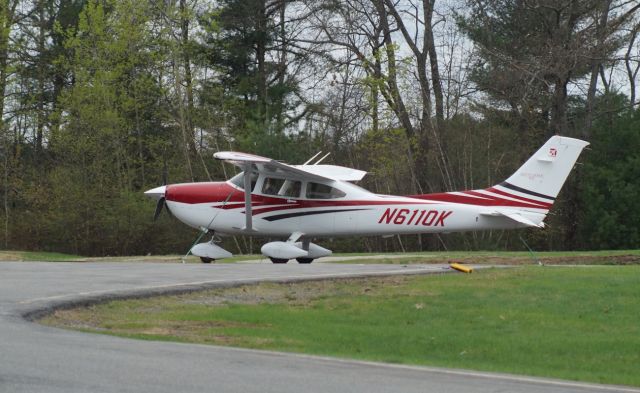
(244, 46)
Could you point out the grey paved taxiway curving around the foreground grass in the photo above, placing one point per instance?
(35, 358)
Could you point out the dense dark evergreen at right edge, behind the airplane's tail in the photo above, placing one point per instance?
(608, 198)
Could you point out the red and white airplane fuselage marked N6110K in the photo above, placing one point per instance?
(219, 206)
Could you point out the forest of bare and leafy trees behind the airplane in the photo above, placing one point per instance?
(97, 97)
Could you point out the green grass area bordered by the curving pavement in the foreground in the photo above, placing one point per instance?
(571, 323)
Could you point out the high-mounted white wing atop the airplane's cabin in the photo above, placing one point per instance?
(298, 172)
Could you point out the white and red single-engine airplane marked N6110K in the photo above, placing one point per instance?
(303, 202)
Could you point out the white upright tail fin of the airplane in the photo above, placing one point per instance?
(543, 175)
